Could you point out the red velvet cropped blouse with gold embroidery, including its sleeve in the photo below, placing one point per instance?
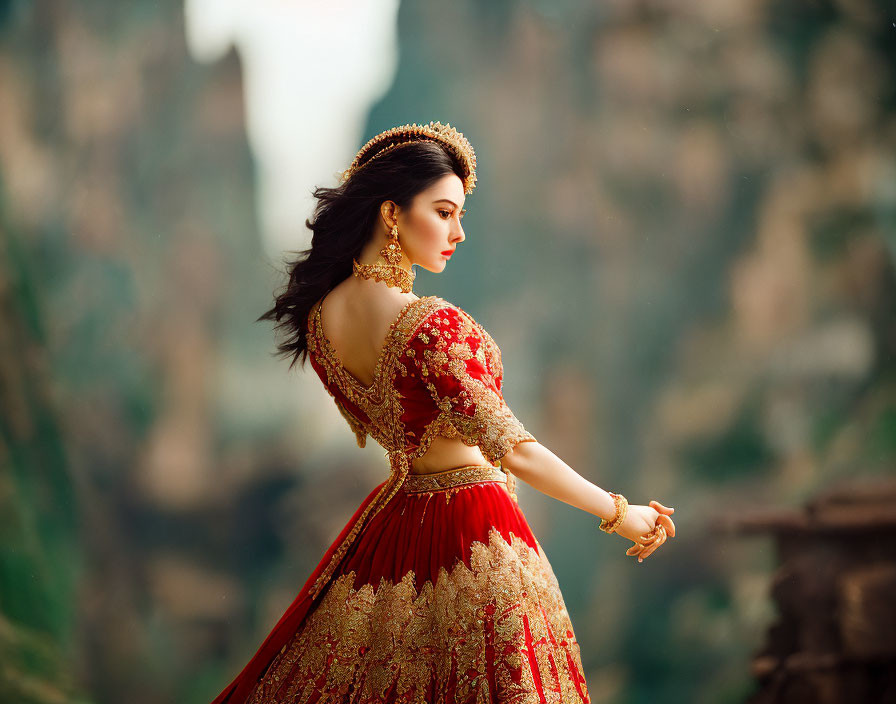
(439, 373)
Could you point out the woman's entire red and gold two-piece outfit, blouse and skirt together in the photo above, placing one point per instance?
(436, 590)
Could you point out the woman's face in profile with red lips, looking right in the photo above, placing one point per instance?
(429, 230)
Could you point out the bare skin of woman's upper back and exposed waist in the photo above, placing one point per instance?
(356, 317)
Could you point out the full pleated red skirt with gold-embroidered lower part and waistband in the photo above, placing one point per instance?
(444, 597)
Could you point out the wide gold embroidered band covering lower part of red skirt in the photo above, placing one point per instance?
(496, 630)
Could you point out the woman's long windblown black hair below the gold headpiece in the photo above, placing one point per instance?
(343, 222)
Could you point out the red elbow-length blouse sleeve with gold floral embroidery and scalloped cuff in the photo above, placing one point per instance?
(460, 365)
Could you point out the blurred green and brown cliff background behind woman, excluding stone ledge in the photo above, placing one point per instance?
(682, 238)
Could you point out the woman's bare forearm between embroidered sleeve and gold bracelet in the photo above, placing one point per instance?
(542, 469)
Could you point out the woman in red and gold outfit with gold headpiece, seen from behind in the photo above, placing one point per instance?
(436, 590)
